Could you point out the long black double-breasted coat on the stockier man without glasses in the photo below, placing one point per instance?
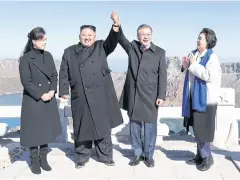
(94, 103)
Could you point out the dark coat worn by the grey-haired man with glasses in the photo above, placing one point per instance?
(145, 82)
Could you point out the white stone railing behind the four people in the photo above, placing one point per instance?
(226, 130)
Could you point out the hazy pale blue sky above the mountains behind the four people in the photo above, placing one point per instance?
(175, 24)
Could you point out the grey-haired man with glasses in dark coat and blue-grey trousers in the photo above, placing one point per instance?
(144, 90)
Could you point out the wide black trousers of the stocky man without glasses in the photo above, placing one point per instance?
(103, 149)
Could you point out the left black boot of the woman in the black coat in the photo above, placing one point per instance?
(35, 164)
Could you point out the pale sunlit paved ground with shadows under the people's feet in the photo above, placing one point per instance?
(170, 157)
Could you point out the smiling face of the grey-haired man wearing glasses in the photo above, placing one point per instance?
(145, 36)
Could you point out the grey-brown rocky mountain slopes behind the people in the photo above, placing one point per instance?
(10, 83)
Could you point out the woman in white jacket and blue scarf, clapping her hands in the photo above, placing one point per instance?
(200, 96)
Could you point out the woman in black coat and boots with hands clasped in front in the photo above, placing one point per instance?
(40, 121)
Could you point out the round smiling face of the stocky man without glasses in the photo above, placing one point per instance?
(87, 37)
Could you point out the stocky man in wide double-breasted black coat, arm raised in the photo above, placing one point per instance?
(94, 103)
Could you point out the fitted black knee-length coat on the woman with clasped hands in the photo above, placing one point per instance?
(40, 121)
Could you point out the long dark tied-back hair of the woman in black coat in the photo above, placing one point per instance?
(35, 34)
